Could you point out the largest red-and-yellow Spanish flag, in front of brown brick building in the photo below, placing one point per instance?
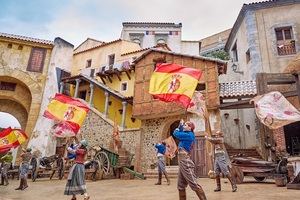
(172, 82)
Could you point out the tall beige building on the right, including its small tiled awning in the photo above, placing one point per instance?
(264, 39)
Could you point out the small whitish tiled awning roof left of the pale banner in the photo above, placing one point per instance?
(238, 89)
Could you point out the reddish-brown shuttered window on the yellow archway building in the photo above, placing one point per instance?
(36, 60)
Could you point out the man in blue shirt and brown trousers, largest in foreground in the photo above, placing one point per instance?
(186, 174)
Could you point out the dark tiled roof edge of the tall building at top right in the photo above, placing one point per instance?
(254, 6)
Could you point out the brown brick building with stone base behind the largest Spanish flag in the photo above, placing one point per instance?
(159, 119)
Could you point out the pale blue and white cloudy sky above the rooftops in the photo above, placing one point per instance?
(76, 20)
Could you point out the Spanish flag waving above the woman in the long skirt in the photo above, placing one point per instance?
(68, 110)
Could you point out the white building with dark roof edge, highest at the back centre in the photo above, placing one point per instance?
(148, 34)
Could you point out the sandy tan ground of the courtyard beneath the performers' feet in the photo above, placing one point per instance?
(44, 189)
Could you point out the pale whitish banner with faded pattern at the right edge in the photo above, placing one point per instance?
(274, 110)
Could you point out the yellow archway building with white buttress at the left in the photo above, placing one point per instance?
(27, 78)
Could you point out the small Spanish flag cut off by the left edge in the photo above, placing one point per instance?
(11, 138)
